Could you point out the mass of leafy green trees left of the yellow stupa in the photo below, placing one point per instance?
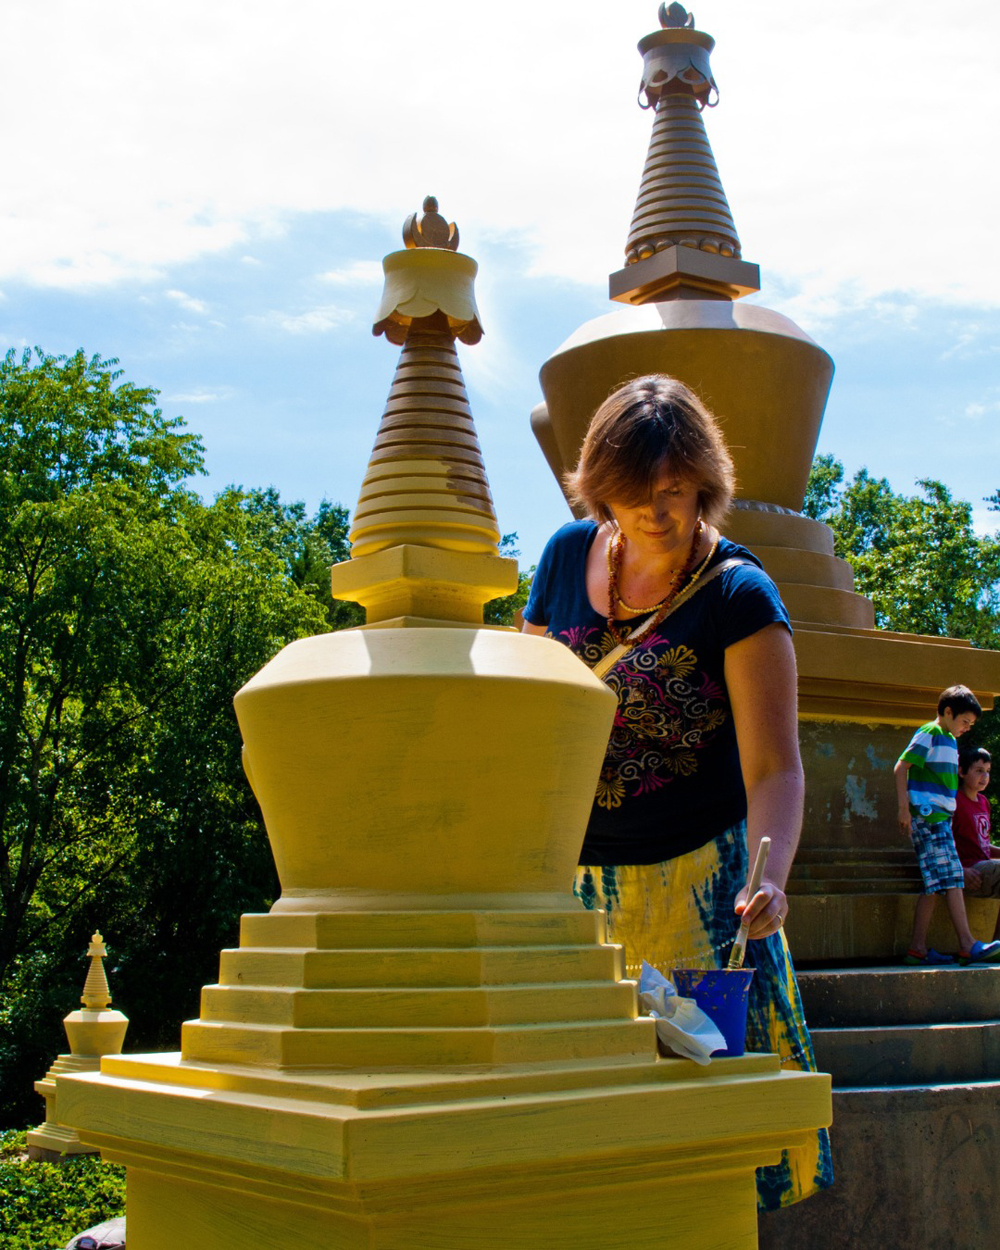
(131, 612)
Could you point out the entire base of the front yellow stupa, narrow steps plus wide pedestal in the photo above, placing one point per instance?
(487, 1087)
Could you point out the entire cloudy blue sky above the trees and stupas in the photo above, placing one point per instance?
(207, 192)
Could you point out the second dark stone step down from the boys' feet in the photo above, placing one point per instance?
(909, 1054)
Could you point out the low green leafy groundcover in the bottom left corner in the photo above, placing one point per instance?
(43, 1206)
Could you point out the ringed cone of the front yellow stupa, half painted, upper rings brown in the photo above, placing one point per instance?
(427, 482)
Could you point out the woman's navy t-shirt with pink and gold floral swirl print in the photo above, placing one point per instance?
(672, 778)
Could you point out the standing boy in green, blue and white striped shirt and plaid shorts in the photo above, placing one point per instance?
(927, 783)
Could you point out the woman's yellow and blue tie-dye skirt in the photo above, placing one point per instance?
(679, 914)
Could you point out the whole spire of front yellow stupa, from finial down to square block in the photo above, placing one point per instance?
(426, 507)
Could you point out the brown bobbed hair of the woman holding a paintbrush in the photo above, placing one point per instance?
(646, 427)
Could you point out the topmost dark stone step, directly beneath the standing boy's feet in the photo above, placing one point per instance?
(854, 998)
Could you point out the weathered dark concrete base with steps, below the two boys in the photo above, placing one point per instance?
(917, 1112)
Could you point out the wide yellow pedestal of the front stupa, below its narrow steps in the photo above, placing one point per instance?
(569, 1157)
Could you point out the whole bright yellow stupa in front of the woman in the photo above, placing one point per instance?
(427, 1042)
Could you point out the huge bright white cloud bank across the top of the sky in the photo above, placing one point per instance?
(854, 141)
